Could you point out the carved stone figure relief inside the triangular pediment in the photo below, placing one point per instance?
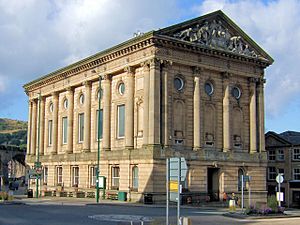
(215, 35)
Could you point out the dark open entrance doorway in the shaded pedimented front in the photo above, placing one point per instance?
(213, 183)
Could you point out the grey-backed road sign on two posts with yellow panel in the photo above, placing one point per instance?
(176, 174)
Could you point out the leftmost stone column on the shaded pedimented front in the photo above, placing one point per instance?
(165, 99)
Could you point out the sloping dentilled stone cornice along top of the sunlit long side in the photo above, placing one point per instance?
(133, 45)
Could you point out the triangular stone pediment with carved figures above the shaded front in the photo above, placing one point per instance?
(216, 31)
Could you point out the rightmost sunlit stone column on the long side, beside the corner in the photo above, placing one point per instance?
(146, 73)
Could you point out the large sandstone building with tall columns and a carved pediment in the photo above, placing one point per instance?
(194, 89)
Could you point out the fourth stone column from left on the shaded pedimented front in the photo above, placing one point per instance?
(253, 128)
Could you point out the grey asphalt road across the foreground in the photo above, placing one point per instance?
(116, 215)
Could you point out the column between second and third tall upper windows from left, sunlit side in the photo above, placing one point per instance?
(70, 97)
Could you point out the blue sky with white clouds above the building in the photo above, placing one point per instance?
(40, 36)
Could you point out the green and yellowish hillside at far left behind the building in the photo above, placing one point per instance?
(13, 132)
